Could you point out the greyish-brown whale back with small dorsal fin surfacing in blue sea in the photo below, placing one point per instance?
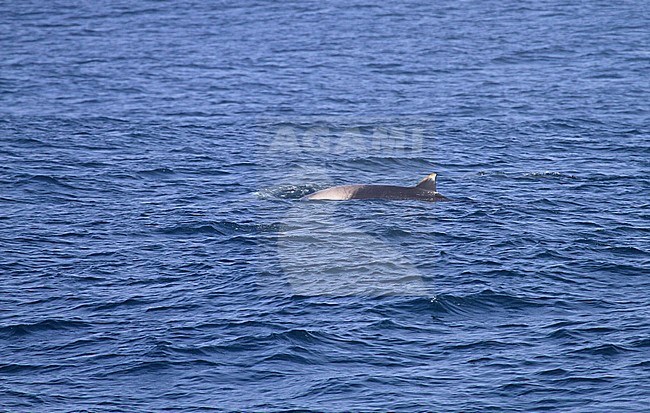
(425, 190)
